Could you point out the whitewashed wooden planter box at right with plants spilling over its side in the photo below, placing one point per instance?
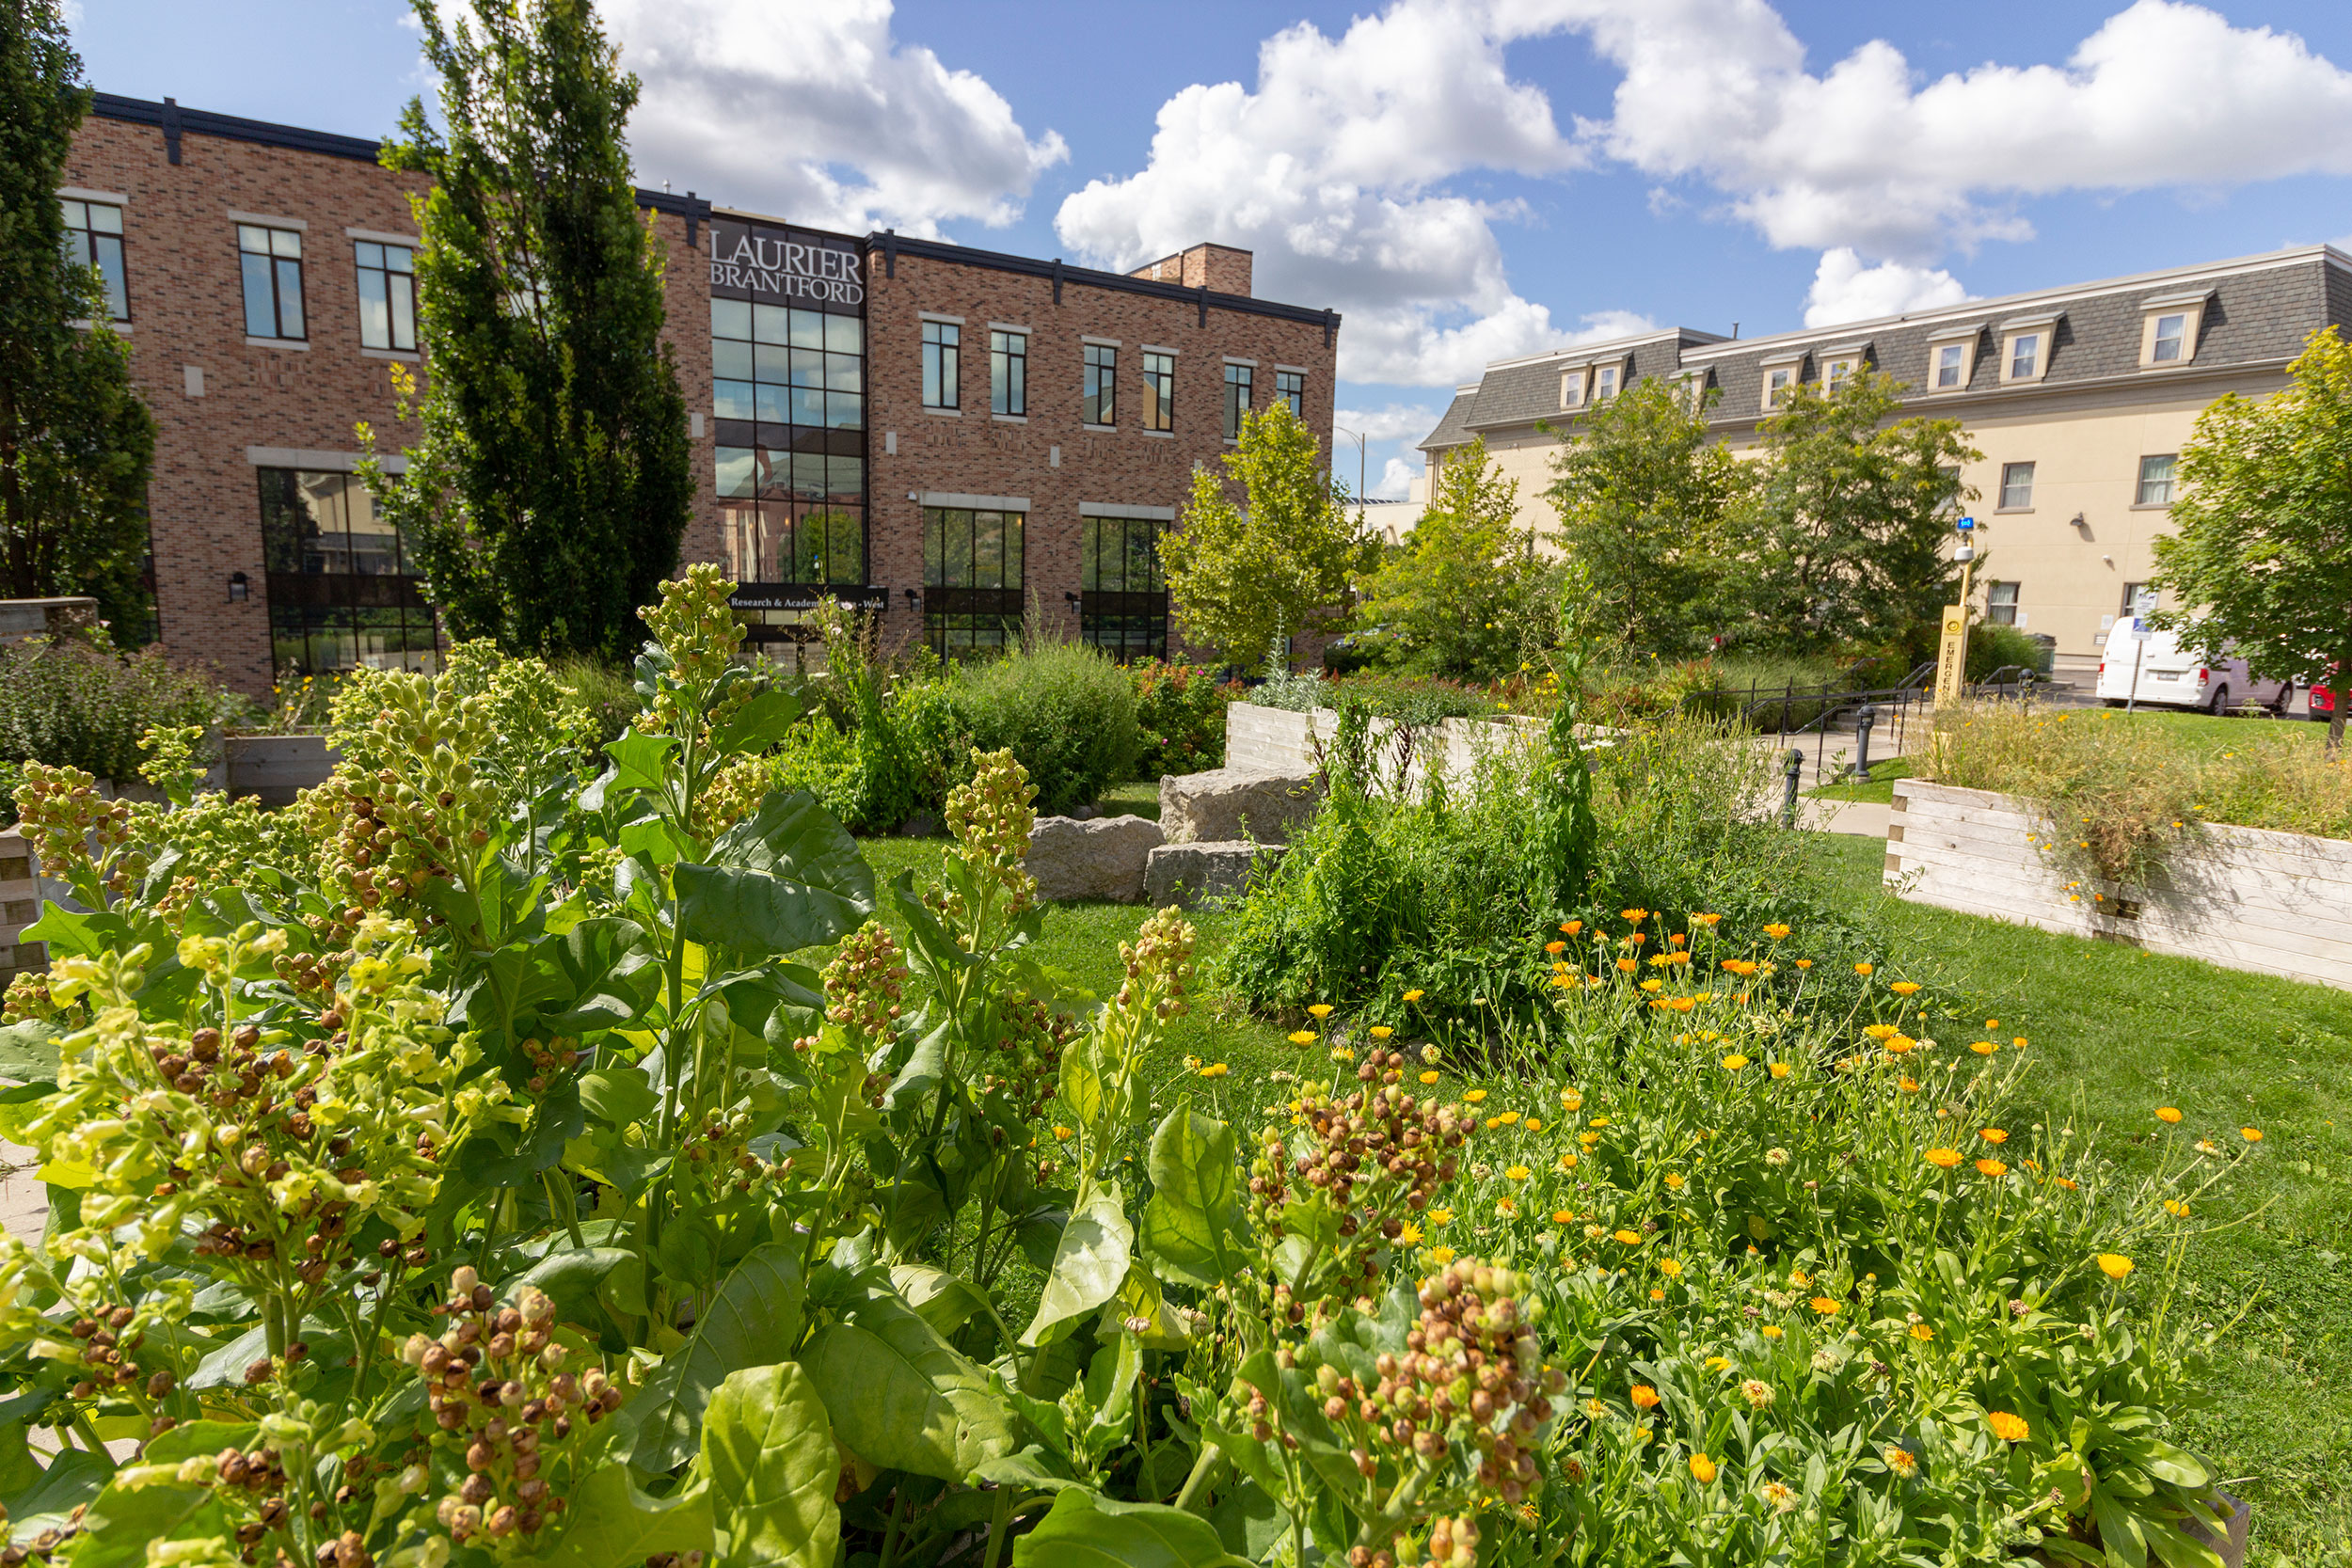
(2236, 897)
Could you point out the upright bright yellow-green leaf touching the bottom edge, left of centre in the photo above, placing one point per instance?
(773, 1468)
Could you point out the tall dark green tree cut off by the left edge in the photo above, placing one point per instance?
(76, 441)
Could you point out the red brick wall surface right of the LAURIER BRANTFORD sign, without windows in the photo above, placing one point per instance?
(1001, 457)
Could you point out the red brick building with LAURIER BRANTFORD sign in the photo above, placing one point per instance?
(954, 441)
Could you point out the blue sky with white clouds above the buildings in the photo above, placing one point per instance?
(1464, 177)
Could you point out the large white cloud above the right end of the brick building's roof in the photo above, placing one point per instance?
(1332, 170)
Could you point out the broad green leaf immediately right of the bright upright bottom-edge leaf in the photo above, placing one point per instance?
(902, 1398)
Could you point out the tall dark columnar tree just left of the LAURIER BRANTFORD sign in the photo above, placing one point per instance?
(552, 485)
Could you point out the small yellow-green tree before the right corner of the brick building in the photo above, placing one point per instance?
(1274, 561)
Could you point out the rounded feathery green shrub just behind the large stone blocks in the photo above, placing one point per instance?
(1064, 711)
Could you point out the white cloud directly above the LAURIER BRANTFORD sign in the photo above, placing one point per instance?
(820, 114)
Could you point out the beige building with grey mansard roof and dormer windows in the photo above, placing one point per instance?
(2080, 401)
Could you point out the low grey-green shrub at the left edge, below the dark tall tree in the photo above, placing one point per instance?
(81, 704)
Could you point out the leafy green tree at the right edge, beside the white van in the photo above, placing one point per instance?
(2261, 549)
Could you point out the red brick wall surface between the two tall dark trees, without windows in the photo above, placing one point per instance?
(187, 311)
